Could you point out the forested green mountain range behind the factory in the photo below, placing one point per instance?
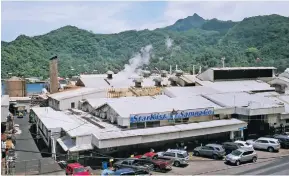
(195, 42)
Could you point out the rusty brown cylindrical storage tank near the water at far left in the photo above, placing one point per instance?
(16, 87)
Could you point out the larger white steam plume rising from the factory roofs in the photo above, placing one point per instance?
(135, 63)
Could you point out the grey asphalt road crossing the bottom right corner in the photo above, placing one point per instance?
(276, 167)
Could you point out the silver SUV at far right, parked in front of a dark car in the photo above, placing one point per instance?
(269, 144)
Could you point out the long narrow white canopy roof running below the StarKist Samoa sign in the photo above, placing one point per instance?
(166, 129)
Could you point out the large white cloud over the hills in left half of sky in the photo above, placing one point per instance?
(98, 17)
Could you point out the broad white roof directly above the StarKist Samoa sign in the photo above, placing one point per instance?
(136, 106)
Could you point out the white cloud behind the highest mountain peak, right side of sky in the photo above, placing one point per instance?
(230, 10)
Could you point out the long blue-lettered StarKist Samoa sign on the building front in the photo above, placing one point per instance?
(135, 118)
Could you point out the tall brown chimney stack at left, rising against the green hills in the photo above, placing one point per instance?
(54, 84)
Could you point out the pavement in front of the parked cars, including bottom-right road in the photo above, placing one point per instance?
(267, 162)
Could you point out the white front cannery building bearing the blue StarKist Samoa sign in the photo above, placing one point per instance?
(122, 123)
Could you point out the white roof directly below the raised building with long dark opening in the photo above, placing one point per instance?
(238, 86)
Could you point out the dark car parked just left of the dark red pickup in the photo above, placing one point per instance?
(135, 163)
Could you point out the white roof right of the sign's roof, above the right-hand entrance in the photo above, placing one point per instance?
(242, 99)
